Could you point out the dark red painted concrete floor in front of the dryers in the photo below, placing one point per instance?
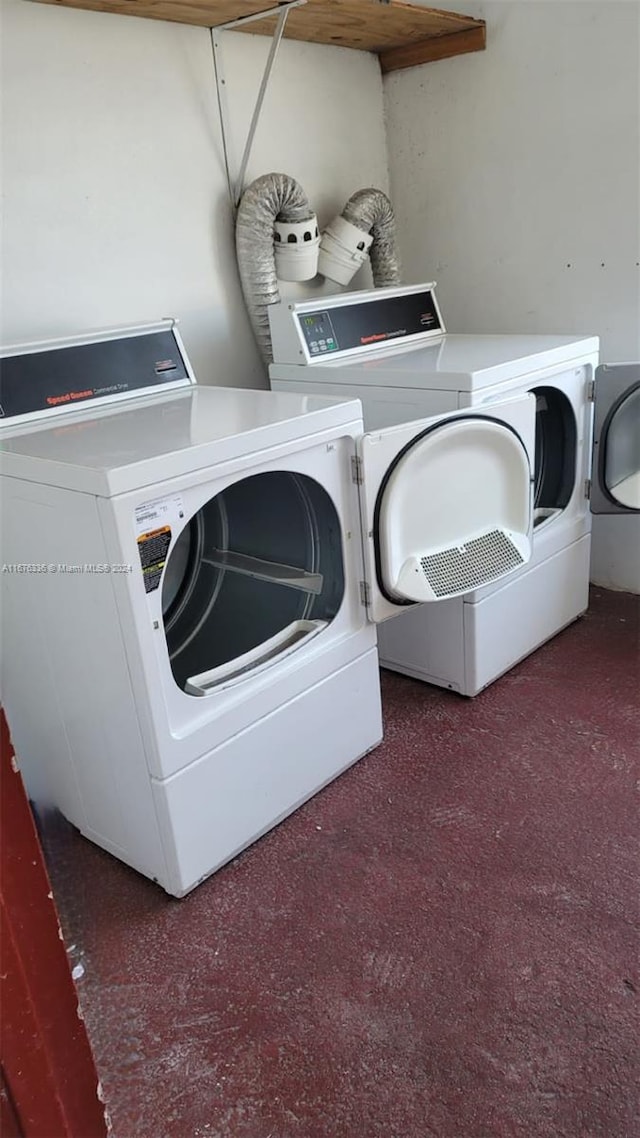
(444, 943)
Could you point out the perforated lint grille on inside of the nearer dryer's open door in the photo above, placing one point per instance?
(470, 566)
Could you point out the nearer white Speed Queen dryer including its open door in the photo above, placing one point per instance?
(193, 576)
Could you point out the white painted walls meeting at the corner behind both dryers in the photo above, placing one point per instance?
(508, 167)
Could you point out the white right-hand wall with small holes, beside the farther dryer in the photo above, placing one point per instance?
(516, 184)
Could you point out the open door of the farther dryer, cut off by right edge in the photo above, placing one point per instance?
(616, 472)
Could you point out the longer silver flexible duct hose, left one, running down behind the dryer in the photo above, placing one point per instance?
(270, 199)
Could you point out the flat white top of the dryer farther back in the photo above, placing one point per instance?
(457, 362)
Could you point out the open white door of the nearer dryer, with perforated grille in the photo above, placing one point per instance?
(447, 504)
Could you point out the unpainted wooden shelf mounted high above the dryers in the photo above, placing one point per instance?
(401, 35)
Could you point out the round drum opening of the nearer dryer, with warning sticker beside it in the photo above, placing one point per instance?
(257, 573)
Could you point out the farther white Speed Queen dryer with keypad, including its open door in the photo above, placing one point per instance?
(390, 349)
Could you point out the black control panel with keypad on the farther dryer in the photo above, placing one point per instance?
(370, 323)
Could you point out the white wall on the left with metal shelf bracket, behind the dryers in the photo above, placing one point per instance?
(116, 196)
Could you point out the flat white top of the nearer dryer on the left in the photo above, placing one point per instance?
(120, 450)
